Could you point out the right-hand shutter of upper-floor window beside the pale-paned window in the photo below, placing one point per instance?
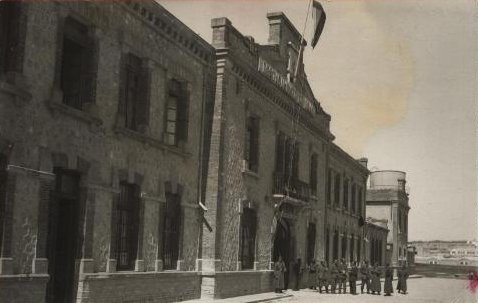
(142, 109)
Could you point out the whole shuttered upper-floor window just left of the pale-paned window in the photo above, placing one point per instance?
(135, 89)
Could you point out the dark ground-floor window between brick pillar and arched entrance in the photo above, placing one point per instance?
(248, 238)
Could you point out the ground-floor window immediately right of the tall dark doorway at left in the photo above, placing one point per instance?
(127, 226)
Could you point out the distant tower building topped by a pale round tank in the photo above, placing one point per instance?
(387, 199)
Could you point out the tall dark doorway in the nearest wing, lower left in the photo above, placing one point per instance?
(62, 236)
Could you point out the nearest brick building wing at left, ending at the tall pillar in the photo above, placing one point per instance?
(102, 128)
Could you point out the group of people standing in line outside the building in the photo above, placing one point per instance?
(334, 277)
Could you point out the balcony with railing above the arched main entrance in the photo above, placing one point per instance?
(290, 187)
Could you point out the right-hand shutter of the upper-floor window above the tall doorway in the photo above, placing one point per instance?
(89, 71)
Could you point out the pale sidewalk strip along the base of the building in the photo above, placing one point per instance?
(269, 296)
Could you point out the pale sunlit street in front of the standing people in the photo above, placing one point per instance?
(433, 290)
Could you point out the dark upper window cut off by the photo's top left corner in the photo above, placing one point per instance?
(9, 16)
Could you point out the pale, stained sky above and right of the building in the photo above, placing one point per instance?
(399, 79)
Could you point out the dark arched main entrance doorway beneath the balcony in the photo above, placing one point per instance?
(282, 242)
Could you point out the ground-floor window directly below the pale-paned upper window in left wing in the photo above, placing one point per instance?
(171, 231)
